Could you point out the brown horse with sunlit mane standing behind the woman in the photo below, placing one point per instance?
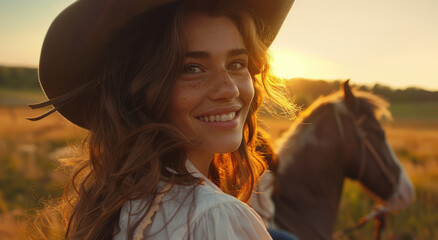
(339, 136)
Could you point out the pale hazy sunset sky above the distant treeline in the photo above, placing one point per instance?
(393, 42)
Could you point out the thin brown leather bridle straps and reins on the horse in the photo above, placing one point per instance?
(380, 211)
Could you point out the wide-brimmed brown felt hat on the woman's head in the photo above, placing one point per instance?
(74, 47)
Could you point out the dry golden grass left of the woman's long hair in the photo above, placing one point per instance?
(28, 148)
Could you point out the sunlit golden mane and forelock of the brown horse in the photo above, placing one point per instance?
(366, 101)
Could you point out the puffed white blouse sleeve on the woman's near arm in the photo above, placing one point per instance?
(229, 220)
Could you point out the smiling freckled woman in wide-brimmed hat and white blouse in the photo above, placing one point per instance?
(169, 92)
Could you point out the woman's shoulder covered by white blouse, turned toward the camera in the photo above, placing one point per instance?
(211, 213)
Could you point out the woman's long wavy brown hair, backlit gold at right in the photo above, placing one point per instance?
(131, 146)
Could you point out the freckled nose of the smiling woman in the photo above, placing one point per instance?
(224, 86)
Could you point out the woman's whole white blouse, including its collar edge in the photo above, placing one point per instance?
(206, 210)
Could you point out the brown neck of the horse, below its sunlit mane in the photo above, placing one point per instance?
(311, 179)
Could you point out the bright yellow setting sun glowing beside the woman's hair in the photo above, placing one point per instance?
(286, 64)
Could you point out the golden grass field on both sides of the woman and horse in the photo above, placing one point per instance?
(29, 153)
